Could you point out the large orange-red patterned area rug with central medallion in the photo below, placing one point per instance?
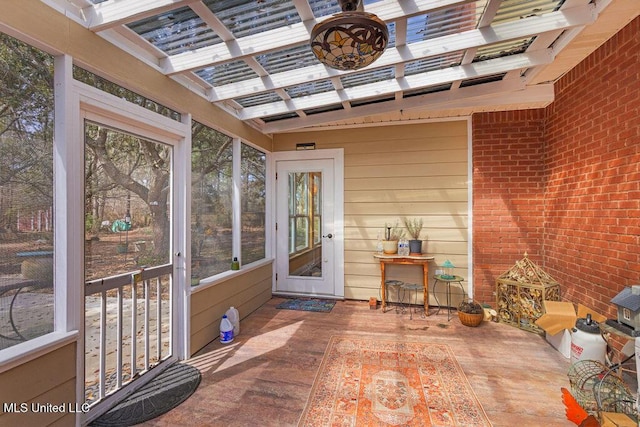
(371, 382)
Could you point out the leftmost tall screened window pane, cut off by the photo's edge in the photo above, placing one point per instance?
(26, 192)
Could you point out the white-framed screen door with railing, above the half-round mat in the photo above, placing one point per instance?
(131, 294)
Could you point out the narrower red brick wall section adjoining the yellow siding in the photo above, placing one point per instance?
(508, 200)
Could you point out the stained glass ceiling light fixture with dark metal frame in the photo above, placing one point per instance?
(351, 39)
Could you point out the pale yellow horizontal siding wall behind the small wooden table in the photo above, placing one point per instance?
(392, 172)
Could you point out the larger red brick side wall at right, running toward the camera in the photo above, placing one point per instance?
(592, 195)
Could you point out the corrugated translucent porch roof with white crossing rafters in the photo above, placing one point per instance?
(279, 62)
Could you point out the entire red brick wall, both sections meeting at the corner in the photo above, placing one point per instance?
(563, 183)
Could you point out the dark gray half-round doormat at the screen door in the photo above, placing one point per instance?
(160, 395)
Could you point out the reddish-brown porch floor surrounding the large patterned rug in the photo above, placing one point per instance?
(264, 377)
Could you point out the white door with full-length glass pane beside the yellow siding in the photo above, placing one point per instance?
(309, 231)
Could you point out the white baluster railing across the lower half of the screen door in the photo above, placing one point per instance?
(127, 328)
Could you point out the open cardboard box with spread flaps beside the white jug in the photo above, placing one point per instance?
(559, 318)
